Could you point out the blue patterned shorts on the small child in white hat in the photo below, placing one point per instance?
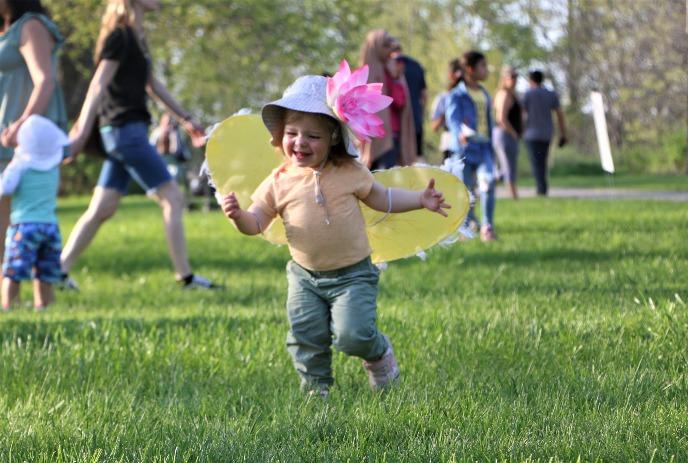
(32, 251)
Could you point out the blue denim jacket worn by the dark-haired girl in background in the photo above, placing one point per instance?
(461, 109)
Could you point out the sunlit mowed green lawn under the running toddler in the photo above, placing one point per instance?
(566, 339)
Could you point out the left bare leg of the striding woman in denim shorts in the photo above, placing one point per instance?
(103, 205)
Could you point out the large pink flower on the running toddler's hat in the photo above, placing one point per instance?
(356, 102)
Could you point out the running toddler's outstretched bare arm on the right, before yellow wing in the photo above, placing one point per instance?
(406, 200)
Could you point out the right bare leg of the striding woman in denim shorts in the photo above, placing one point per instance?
(170, 199)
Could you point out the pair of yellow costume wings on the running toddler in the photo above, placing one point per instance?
(240, 156)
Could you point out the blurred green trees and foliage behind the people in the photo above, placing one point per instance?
(219, 55)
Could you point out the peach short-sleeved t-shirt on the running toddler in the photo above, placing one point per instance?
(290, 193)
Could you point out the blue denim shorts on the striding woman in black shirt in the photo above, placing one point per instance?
(130, 155)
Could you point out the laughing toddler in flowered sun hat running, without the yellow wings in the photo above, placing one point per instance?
(332, 283)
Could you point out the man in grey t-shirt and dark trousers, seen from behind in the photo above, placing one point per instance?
(538, 104)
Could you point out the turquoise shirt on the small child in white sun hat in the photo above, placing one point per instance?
(35, 198)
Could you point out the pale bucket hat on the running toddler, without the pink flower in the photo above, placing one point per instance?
(307, 94)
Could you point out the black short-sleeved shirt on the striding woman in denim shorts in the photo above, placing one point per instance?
(125, 97)
